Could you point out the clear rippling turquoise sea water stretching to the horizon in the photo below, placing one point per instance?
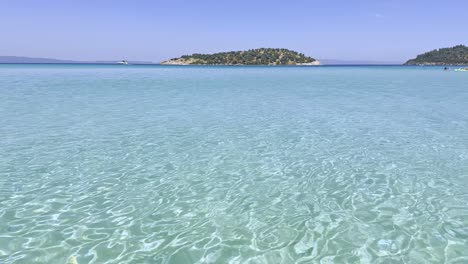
(154, 164)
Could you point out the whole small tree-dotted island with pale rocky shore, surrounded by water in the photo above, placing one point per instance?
(263, 56)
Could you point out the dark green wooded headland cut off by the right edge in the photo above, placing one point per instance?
(457, 55)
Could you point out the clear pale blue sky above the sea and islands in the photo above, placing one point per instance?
(390, 30)
